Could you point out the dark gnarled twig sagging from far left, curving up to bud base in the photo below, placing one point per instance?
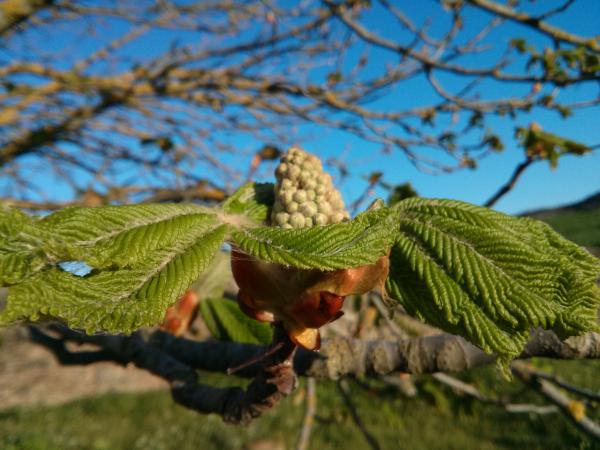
(274, 380)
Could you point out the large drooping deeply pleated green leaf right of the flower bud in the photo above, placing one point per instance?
(490, 277)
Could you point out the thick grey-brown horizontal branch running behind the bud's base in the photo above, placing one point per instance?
(346, 356)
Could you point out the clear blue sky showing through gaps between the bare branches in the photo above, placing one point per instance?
(574, 179)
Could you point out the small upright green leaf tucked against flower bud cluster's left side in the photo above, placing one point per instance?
(253, 200)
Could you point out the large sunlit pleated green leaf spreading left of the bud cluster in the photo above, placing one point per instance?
(143, 258)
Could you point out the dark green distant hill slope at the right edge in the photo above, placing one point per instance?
(579, 222)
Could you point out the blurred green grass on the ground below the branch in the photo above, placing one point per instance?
(437, 419)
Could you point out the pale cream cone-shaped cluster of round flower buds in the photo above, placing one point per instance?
(304, 193)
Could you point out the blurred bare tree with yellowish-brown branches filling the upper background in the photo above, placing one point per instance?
(130, 101)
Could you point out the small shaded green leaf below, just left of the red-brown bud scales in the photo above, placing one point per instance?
(227, 322)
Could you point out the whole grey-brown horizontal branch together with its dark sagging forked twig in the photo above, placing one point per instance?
(177, 359)
